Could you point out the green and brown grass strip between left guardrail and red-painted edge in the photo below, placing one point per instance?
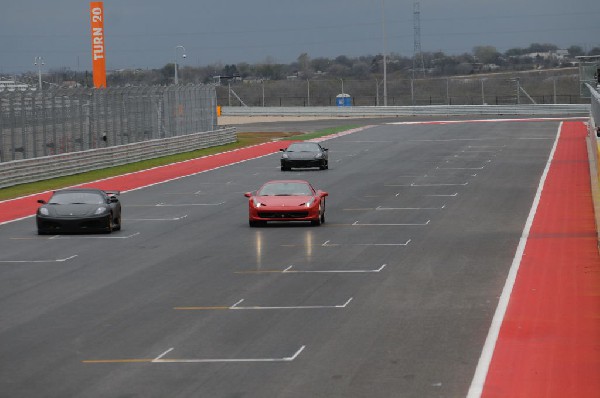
(244, 140)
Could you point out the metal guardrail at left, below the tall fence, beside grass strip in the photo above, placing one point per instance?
(42, 168)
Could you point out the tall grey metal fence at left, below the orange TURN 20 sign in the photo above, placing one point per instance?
(56, 121)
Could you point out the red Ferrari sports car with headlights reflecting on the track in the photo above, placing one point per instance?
(286, 200)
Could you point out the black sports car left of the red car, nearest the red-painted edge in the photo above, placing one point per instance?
(79, 210)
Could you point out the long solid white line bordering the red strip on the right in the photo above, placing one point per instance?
(478, 382)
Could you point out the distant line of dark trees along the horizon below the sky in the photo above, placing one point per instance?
(428, 64)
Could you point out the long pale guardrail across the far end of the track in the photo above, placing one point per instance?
(428, 110)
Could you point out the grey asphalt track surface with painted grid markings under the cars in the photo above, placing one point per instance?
(392, 297)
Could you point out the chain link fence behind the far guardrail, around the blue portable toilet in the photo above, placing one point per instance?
(476, 90)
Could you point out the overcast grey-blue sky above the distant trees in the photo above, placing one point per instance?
(144, 33)
